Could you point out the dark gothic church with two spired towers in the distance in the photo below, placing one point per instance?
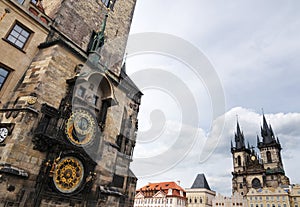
(257, 170)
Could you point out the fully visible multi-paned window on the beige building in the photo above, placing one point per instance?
(19, 35)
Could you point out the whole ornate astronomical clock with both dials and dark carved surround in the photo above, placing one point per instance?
(72, 138)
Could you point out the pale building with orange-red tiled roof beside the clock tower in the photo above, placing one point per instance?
(165, 194)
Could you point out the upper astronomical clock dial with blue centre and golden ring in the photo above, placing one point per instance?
(81, 128)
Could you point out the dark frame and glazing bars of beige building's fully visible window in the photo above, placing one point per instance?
(24, 28)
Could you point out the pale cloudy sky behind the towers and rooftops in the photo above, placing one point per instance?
(201, 66)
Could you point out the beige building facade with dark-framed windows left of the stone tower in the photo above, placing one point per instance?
(24, 25)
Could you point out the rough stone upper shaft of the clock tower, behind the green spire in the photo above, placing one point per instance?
(77, 20)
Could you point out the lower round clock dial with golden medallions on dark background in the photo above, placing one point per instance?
(68, 174)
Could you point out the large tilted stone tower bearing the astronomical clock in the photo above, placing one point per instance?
(72, 118)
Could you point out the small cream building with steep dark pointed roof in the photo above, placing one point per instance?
(200, 194)
